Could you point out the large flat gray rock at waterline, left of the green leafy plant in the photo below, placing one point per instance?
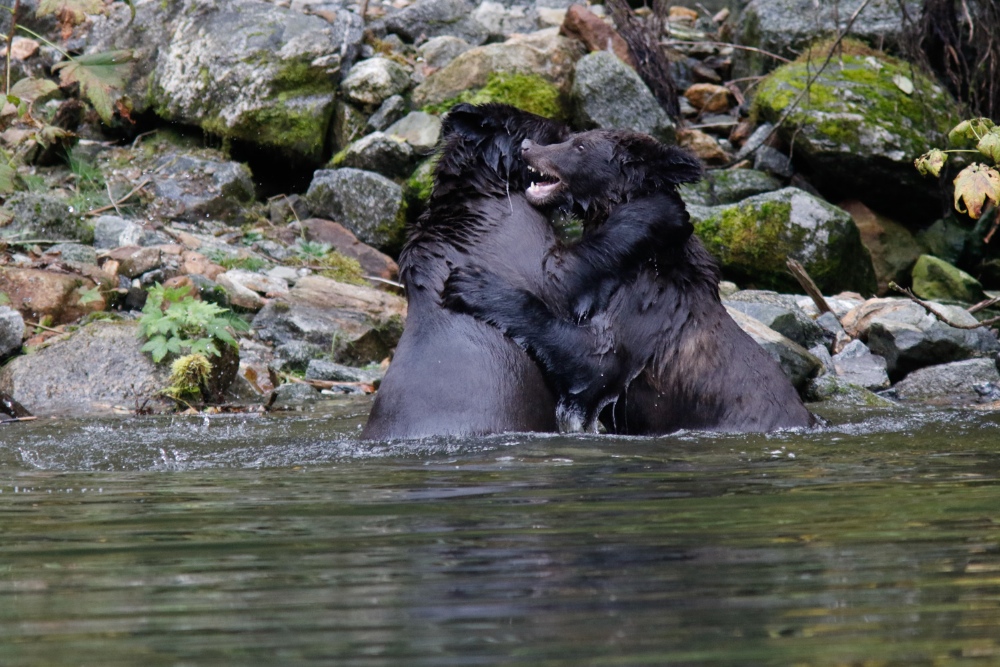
(99, 369)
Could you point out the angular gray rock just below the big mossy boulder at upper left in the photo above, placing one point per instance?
(195, 187)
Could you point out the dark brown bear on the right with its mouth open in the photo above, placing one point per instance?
(652, 351)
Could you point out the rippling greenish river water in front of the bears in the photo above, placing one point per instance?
(280, 539)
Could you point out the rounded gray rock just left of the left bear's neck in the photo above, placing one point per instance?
(369, 204)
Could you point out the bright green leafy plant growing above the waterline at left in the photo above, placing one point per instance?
(176, 323)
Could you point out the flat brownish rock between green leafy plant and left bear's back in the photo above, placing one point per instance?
(319, 310)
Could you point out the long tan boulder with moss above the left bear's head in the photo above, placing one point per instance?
(544, 53)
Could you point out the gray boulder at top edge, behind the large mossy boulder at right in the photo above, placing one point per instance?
(787, 27)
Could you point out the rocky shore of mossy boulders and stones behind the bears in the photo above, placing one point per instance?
(270, 154)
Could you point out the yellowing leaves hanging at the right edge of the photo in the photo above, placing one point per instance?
(977, 186)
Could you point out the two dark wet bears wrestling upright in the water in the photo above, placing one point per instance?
(511, 329)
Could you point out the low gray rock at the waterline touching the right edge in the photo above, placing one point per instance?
(948, 383)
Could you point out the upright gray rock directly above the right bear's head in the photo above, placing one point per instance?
(607, 93)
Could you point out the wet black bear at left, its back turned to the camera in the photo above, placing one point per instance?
(452, 374)
